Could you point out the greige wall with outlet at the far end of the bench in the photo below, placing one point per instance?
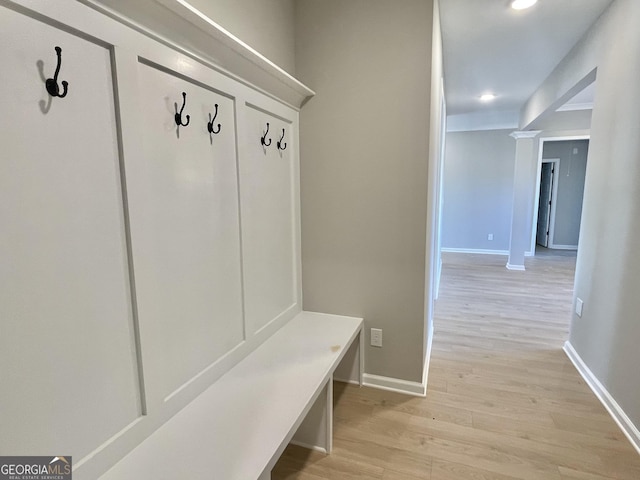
(364, 142)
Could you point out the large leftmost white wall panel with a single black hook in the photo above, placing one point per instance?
(68, 375)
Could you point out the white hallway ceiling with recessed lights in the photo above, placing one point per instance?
(488, 47)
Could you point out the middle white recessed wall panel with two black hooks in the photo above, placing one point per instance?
(185, 225)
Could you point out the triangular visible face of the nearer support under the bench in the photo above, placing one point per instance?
(316, 430)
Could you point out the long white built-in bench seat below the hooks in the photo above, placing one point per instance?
(238, 427)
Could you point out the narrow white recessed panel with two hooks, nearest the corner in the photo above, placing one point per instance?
(268, 219)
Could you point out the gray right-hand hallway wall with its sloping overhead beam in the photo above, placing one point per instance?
(608, 266)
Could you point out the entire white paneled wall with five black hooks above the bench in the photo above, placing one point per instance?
(140, 259)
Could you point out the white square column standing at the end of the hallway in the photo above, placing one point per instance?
(524, 182)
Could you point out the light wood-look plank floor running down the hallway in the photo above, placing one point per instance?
(503, 400)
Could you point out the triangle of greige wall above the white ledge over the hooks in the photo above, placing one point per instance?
(265, 25)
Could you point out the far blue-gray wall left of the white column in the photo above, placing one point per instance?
(478, 190)
